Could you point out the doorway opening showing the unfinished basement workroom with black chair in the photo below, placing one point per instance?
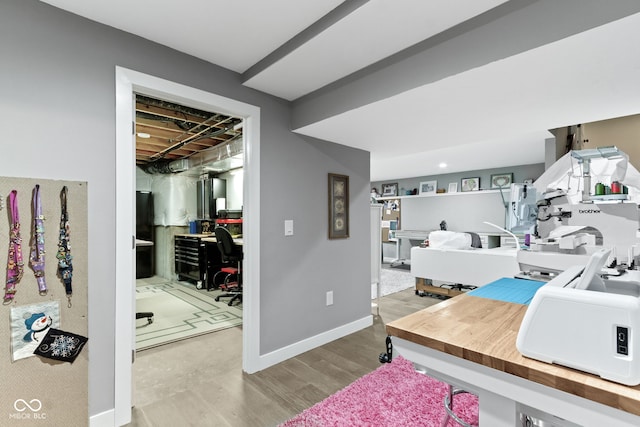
(189, 181)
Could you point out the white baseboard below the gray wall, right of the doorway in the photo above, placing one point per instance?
(282, 354)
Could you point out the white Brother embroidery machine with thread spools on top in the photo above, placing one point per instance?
(572, 224)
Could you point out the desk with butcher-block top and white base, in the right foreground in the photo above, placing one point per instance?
(469, 342)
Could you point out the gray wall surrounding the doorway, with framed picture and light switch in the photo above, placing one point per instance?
(58, 98)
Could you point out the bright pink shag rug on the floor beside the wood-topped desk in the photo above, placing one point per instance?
(392, 395)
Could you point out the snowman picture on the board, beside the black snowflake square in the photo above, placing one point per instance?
(29, 326)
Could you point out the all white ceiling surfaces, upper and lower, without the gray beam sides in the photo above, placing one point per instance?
(488, 116)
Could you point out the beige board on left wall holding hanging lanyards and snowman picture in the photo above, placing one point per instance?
(37, 391)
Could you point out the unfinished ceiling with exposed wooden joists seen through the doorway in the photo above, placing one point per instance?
(170, 136)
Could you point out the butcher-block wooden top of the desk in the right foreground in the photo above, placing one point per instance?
(484, 331)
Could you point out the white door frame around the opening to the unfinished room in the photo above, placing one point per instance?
(128, 83)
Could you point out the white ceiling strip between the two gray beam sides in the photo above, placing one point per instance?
(373, 32)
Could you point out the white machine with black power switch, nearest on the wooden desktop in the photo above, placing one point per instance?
(587, 318)
